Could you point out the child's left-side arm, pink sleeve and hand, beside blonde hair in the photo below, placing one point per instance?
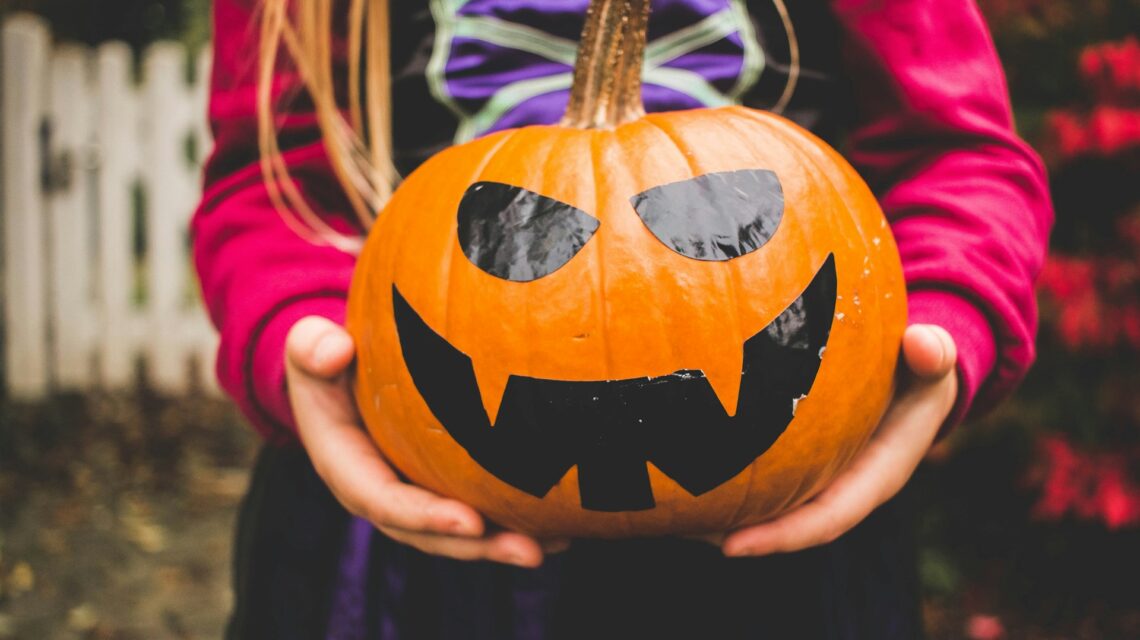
(260, 281)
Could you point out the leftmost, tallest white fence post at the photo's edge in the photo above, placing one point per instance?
(26, 52)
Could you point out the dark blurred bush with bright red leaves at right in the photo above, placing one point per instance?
(1035, 514)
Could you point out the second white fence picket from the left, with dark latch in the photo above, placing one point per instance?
(71, 222)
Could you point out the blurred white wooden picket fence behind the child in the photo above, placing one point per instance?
(91, 158)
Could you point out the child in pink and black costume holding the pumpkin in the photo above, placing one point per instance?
(916, 94)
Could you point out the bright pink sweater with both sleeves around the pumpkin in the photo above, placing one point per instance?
(932, 133)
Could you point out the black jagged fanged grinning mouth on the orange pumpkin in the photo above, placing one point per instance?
(610, 430)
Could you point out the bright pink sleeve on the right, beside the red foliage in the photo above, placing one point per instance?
(967, 199)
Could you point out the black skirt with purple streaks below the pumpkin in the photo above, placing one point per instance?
(289, 570)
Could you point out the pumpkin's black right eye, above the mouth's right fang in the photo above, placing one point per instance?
(716, 216)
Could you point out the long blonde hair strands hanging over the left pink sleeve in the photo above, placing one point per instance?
(359, 144)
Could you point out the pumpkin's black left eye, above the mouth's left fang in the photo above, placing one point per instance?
(519, 236)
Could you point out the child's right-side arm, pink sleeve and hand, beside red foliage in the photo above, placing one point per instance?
(970, 206)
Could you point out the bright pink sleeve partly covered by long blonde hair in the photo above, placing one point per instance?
(257, 276)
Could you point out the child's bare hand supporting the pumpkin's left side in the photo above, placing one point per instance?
(317, 355)
